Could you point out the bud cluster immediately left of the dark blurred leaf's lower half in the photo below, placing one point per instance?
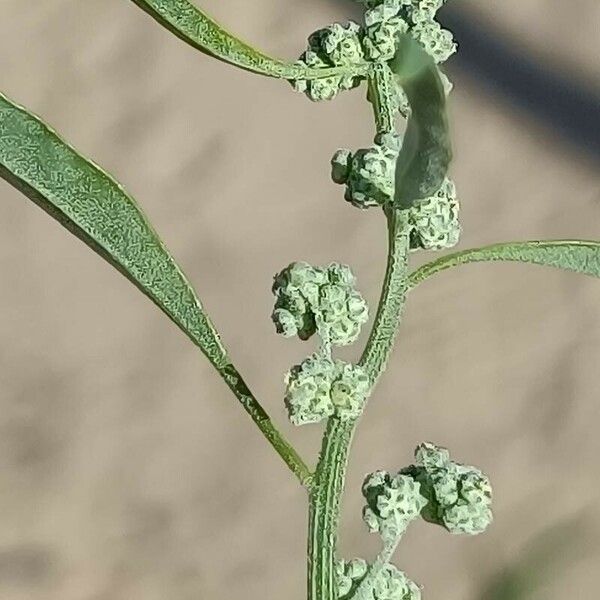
(369, 174)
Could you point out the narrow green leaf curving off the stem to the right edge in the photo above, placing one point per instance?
(579, 256)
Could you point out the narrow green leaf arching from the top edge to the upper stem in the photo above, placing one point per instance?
(197, 29)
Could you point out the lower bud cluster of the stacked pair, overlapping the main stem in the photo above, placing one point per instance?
(320, 387)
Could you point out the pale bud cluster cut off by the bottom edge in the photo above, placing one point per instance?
(390, 583)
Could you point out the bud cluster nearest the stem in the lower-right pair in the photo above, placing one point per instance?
(392, 503)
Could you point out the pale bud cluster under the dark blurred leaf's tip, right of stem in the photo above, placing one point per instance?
(434, 220)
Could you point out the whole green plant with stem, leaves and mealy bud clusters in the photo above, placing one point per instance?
(397, 51)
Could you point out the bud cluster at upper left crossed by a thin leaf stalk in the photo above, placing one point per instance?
(333, 46)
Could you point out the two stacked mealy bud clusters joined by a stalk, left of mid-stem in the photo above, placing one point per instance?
(319, 300)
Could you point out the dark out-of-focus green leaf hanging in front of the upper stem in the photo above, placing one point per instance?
(426, 149)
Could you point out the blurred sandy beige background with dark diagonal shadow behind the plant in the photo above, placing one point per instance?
(128, 472)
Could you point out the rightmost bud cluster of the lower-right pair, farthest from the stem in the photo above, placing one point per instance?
(459, 496)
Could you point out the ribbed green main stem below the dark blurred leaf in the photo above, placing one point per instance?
(328, 485)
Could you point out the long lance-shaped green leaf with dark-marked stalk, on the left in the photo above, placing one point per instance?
(94, 207)
